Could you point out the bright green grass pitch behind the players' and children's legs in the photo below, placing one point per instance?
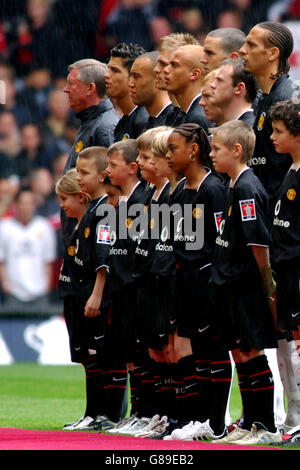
(43, 397)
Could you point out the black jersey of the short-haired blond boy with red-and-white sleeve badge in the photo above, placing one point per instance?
(244, 223)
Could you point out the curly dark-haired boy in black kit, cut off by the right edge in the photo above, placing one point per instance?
(286, 252)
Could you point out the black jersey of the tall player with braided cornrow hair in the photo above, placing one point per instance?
(268, 165)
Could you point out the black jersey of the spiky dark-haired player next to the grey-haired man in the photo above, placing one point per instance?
(130, 126)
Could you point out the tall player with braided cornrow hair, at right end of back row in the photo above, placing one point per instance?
(265, 53)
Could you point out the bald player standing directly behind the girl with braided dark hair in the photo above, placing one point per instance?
(183, 78)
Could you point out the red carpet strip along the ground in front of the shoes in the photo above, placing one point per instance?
(20, 439)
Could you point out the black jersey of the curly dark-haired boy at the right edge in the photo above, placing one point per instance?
(286, 223)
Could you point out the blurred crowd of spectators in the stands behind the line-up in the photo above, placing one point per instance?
(40, 38)
